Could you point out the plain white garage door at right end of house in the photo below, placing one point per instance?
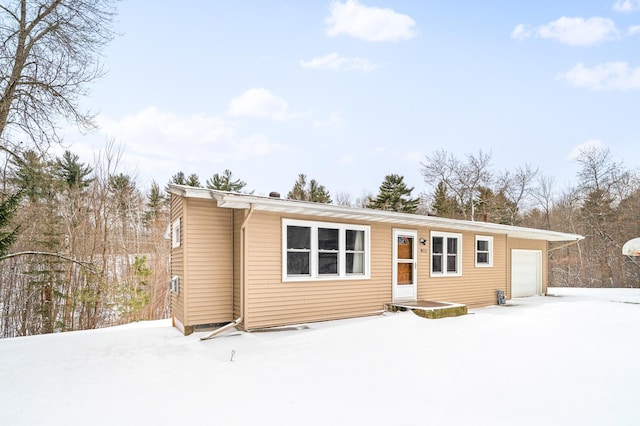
(526, 273)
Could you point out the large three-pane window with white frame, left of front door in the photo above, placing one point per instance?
(323, 250)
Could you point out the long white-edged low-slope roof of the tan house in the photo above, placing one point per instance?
(278, 205)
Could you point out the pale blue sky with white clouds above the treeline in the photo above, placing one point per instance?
(349, 91)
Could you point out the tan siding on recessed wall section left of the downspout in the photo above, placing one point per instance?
(208, 240)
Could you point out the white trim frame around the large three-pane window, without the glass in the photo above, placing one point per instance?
(313, 262)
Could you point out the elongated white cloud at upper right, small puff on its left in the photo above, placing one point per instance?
(572, 31)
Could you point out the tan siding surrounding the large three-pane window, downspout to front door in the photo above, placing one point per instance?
(271, 302)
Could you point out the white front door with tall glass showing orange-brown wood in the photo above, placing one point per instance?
(405, 268)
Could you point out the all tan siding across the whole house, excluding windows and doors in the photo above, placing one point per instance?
(209, 264)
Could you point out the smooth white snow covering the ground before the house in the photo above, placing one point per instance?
(570, 359)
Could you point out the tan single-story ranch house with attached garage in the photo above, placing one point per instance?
(257, 261)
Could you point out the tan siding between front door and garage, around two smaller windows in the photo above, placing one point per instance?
(476, 286)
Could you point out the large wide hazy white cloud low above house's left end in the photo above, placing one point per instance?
(162, 140)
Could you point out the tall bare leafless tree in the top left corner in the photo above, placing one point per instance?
(49, 51)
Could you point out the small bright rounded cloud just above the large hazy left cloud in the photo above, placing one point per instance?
(259, 103)
